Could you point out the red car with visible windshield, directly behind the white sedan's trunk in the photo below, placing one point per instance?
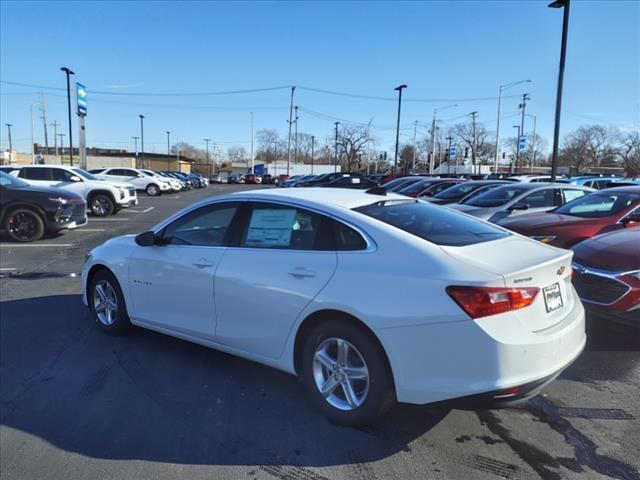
(600, 212)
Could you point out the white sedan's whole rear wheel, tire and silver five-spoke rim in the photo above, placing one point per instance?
(346, 374)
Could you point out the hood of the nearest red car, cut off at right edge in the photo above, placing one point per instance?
(614, 251)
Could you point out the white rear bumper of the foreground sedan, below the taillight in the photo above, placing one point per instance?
(445, 361)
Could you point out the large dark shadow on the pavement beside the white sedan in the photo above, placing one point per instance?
(151, 397)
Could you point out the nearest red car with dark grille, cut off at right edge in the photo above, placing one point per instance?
(606, 275)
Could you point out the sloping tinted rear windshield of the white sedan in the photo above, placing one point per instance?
(432, 223)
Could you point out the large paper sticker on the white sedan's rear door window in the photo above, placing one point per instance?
(271, 227)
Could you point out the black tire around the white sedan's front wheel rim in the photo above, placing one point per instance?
(112, 324)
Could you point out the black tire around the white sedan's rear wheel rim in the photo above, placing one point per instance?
(379, 396)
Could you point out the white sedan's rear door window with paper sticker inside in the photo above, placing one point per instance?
(284, 227)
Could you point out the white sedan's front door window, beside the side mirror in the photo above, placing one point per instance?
(207, 226)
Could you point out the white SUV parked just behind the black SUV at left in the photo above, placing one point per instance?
(103, 197)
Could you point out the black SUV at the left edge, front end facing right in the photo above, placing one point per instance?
(27, 212)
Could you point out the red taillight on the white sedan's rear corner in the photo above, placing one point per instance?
(484, 301)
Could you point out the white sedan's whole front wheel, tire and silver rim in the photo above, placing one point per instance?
(107, 303)
